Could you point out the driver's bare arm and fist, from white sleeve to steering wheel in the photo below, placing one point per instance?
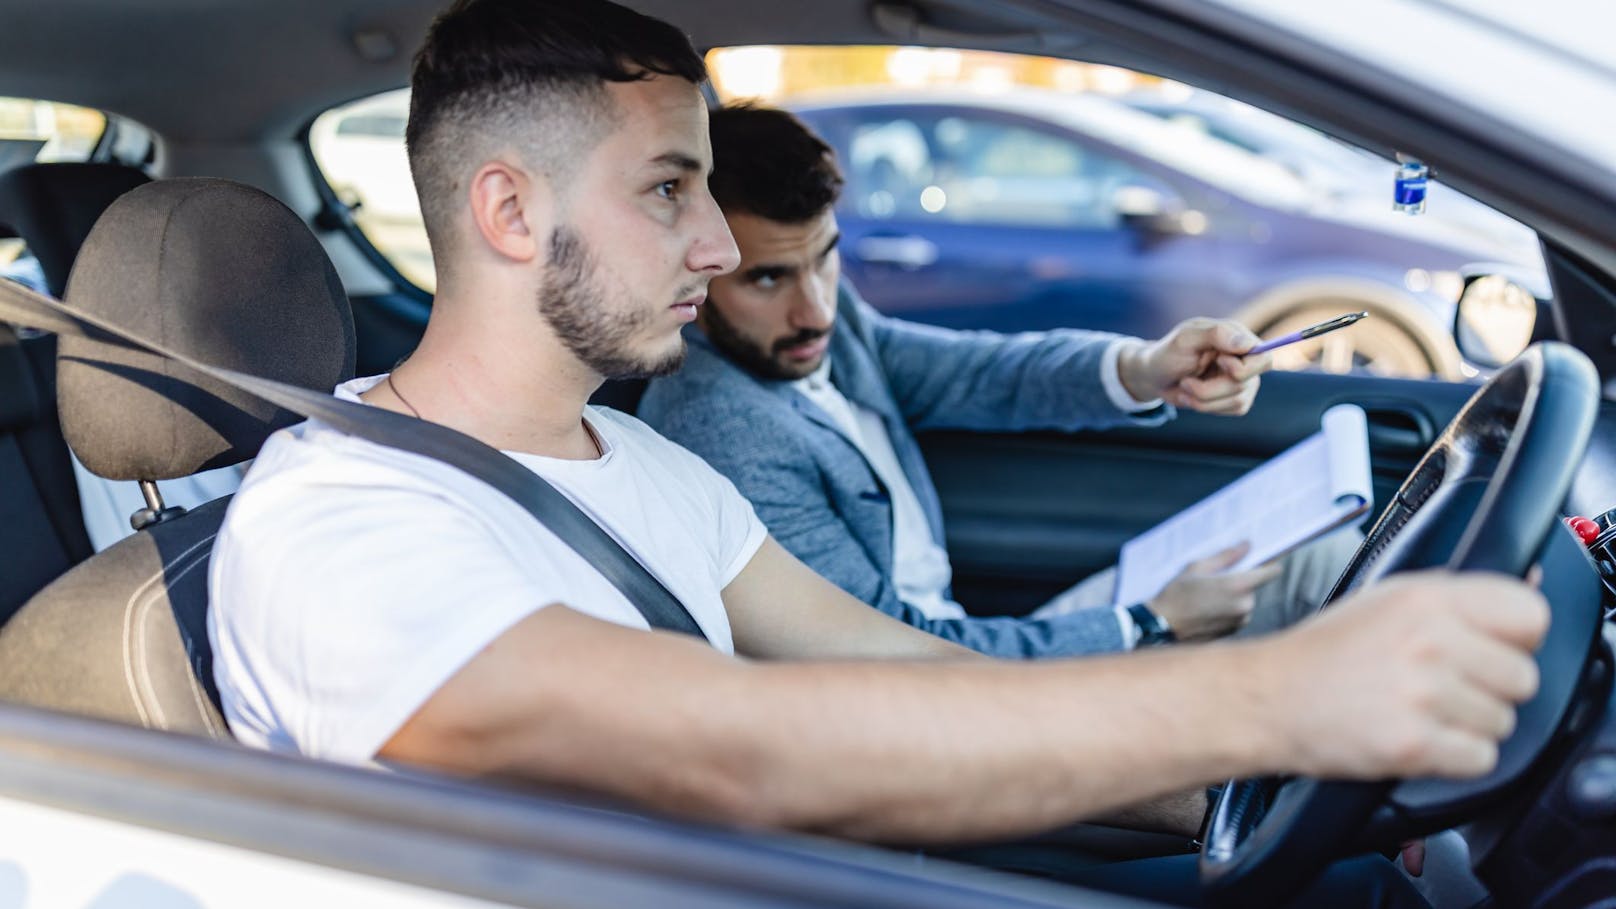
(951, 751)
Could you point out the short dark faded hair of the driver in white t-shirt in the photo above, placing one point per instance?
(489, 66)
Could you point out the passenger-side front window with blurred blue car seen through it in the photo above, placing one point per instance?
(1150, 201)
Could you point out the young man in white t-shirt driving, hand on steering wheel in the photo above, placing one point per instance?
(371, 606)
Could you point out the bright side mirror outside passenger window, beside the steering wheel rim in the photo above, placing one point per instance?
(1500, 313)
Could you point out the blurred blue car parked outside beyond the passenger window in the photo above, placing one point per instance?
(1027, 211)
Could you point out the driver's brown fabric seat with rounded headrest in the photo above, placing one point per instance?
(224, 274)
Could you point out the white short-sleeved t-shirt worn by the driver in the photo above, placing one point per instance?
(351, 581)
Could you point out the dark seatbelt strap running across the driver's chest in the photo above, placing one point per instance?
(544, 502)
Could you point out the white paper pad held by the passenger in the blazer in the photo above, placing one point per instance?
(1316, 486)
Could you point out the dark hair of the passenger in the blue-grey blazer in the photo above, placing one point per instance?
(770, 164)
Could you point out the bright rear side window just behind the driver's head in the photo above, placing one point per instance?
(360, 150)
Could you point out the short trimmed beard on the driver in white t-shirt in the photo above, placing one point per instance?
(576, 308)
